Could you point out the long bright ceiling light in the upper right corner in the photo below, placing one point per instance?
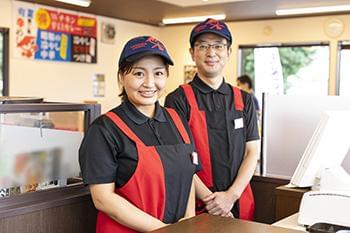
(313, 10)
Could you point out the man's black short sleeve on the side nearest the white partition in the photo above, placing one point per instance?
(250, 117)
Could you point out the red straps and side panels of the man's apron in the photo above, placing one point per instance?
(199, 129)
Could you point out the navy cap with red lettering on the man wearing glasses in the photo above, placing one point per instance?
(211, 26)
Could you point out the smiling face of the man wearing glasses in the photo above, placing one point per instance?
(210, 53)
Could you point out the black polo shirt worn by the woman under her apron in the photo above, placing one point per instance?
(107, 155)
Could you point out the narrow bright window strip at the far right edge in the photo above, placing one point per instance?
(344, 69)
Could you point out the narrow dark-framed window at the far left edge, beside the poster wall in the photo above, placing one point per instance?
(4, 61)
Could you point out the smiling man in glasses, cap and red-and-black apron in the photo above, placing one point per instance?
(223, 123)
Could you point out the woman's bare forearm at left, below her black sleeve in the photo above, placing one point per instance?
(121, 210)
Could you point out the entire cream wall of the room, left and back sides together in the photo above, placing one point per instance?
(64, 81)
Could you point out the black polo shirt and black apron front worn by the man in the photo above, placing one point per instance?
(226, 143)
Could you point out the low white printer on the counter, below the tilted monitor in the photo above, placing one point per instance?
(331, 203)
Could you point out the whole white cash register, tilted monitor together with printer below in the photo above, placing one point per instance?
(320, 167)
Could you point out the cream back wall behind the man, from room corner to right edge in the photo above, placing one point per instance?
(310, 29)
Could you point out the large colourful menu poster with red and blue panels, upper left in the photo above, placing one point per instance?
(44, 33)
